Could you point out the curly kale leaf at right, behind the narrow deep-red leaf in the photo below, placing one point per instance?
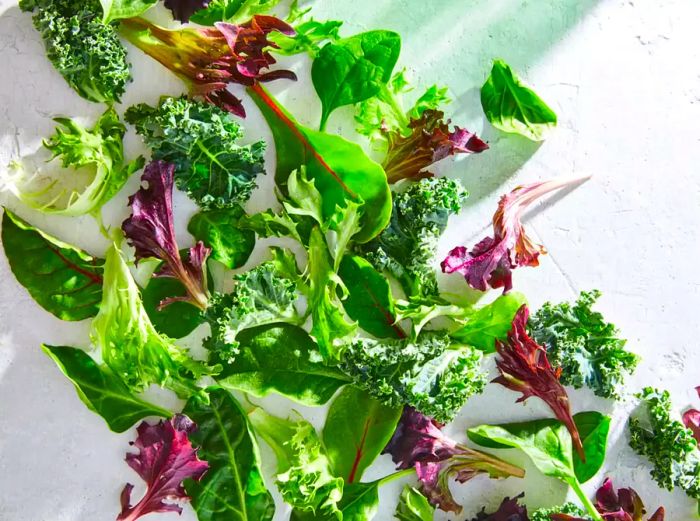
(586, 347)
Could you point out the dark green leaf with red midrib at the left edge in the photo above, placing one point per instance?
(65, 281)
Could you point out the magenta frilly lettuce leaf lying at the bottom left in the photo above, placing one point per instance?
(165, 459)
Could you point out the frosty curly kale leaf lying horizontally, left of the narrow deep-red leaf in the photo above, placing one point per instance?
(428, 373)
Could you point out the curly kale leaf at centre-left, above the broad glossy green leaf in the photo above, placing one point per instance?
(260, 296)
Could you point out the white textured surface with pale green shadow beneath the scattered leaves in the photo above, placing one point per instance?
(624, 78)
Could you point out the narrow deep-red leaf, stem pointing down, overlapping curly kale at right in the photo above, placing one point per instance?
(524, 368)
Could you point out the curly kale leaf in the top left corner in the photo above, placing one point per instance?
(84, 50)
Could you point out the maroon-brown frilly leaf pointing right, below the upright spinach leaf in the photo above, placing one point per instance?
(430, 141)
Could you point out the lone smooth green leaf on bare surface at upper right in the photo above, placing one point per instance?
(513, 107)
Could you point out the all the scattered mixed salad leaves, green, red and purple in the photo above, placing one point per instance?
(347, 310)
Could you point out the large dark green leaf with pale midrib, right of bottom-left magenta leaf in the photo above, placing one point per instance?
(233, 488)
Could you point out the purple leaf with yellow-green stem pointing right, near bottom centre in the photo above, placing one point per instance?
(419, 442)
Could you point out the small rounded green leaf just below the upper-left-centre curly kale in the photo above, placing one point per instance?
(230, 244)
